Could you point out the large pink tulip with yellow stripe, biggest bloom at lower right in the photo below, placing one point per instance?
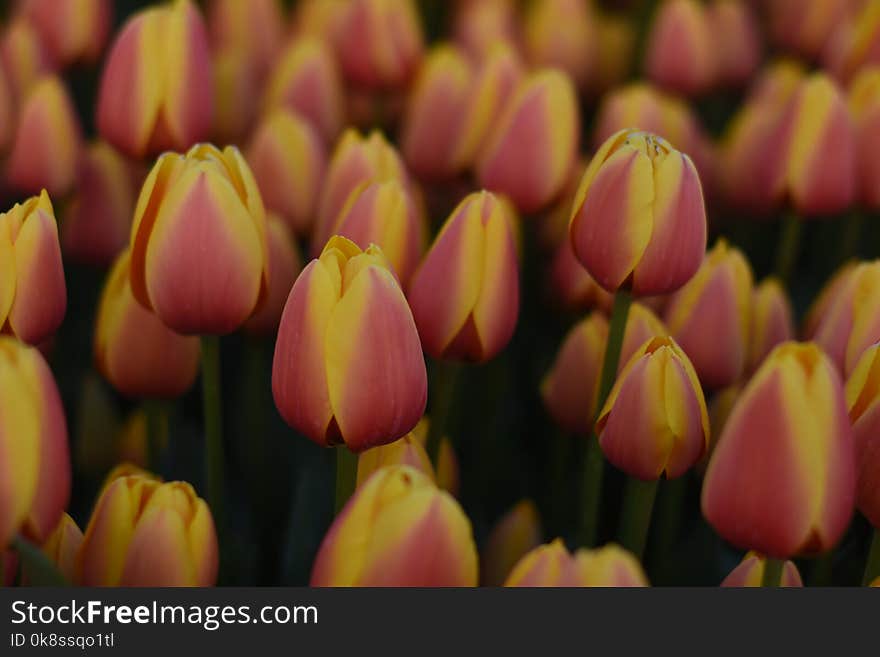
(782, 479)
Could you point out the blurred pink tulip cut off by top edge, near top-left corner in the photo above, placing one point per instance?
(74, 31)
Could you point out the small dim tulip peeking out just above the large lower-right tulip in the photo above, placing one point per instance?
(772, 321)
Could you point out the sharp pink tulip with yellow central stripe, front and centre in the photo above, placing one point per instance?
(348, 366)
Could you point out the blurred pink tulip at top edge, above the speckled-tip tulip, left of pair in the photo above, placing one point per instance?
(681, 54)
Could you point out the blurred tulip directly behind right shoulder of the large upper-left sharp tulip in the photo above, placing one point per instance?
(288, 160)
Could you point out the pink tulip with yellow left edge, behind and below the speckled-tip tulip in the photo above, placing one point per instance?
(711, 316)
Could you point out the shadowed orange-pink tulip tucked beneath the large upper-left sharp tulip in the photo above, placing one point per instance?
(134, 350)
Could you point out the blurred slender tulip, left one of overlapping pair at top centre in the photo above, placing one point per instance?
(433, 118)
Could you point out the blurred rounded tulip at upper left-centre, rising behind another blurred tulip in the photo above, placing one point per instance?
(306, 80)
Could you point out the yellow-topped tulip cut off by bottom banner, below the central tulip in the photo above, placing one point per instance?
(398, 530)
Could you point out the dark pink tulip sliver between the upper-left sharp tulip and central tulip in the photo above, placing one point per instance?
(285, 264)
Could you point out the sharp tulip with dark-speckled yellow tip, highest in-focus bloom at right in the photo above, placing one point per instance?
(639, 221)
